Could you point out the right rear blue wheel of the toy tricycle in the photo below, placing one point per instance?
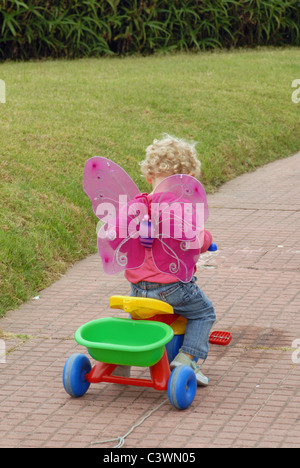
(182, 387)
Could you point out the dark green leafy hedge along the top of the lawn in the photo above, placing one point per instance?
(54, 28)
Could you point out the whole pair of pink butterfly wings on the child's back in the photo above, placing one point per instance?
(171, 226)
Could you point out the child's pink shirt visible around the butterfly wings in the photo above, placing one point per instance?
(149, 272)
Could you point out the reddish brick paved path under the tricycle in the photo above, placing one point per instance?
(253, 399)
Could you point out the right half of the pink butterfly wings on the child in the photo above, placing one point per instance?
(178, 212)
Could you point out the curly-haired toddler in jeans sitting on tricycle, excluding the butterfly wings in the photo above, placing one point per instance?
(166, 157)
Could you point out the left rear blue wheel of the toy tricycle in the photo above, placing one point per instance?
(76, 367)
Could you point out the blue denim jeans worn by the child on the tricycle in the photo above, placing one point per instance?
(190, 302)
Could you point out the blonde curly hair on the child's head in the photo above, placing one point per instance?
(169, 156)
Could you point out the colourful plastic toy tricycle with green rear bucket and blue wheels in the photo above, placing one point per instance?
(150, 337)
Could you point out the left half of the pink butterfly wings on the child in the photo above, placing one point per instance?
(110, 189)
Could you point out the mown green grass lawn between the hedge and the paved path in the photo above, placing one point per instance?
(236, 105)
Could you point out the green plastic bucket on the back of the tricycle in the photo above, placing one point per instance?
(125, 341)
